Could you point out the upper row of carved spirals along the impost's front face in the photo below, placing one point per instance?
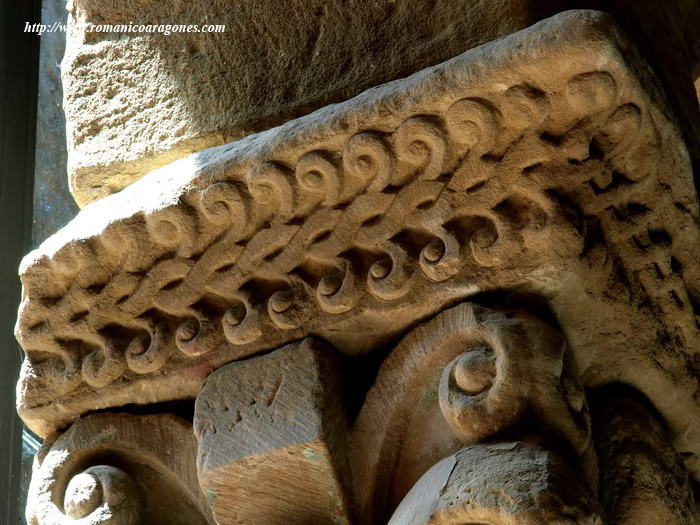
(370, 158)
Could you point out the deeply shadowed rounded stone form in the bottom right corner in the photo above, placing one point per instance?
(642, 478)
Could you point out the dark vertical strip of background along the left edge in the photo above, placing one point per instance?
(18, 89)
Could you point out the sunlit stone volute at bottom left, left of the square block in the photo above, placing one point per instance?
(118, 469)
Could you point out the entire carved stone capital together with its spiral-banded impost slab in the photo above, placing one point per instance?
(257, 278)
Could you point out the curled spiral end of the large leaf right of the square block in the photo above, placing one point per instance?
(518, 366)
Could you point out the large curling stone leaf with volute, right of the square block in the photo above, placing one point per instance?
(490, 374)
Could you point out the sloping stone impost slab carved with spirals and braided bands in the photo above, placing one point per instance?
(544, 163)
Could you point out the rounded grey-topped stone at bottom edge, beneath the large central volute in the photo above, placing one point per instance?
(504, 483)
